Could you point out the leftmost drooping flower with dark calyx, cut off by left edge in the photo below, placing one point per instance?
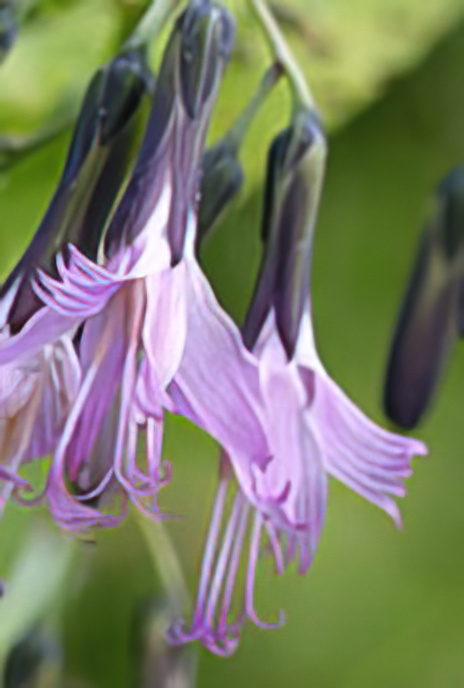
(37, 389)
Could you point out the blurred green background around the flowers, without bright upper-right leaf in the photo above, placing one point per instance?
(379, 607)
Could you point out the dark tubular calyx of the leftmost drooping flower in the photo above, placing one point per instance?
(98, 161)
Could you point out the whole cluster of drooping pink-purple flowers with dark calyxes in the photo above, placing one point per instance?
(108, 323)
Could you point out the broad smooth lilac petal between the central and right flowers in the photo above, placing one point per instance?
(217, 385)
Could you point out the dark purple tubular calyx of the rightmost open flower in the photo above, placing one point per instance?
(295, 174)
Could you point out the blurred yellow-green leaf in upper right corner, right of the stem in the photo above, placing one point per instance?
(353, 47)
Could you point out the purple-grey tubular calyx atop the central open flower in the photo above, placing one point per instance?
(170, 154)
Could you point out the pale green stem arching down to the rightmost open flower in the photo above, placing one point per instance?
(282, 53)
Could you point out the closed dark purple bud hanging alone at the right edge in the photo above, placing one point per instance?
(430, 318)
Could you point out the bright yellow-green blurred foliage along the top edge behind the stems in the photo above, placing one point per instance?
(351, 49)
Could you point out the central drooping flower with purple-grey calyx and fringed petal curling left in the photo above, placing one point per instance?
(130, 315)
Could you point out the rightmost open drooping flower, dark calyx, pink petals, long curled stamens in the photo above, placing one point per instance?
(313, 430)
